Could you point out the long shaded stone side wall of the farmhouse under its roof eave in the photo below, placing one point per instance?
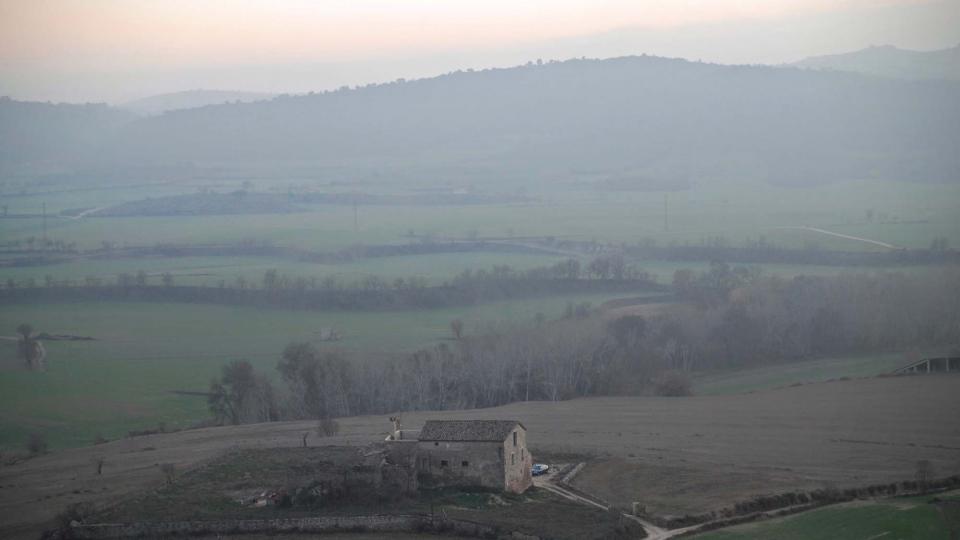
(454, 463)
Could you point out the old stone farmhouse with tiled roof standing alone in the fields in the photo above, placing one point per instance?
(469, 453)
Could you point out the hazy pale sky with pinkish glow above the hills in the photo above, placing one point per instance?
(114, 50)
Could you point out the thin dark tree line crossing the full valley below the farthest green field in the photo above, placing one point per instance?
(33, 252)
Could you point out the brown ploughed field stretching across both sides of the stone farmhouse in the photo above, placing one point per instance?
(673, 454)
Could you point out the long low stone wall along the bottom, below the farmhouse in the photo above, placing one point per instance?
(326, 524)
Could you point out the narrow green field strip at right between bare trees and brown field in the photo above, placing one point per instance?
(769, 377)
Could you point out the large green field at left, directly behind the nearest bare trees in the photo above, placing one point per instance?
(142, 351)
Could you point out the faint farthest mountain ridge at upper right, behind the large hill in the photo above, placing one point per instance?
(889, 61)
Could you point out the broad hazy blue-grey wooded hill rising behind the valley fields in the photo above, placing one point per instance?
(631, 117)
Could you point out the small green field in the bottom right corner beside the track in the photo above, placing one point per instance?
(903, 519)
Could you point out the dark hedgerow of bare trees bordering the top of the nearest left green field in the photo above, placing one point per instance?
(603, 274)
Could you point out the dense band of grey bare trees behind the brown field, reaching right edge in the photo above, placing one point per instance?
(736, 319)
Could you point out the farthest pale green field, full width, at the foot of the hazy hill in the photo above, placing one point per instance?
(913, 214)
